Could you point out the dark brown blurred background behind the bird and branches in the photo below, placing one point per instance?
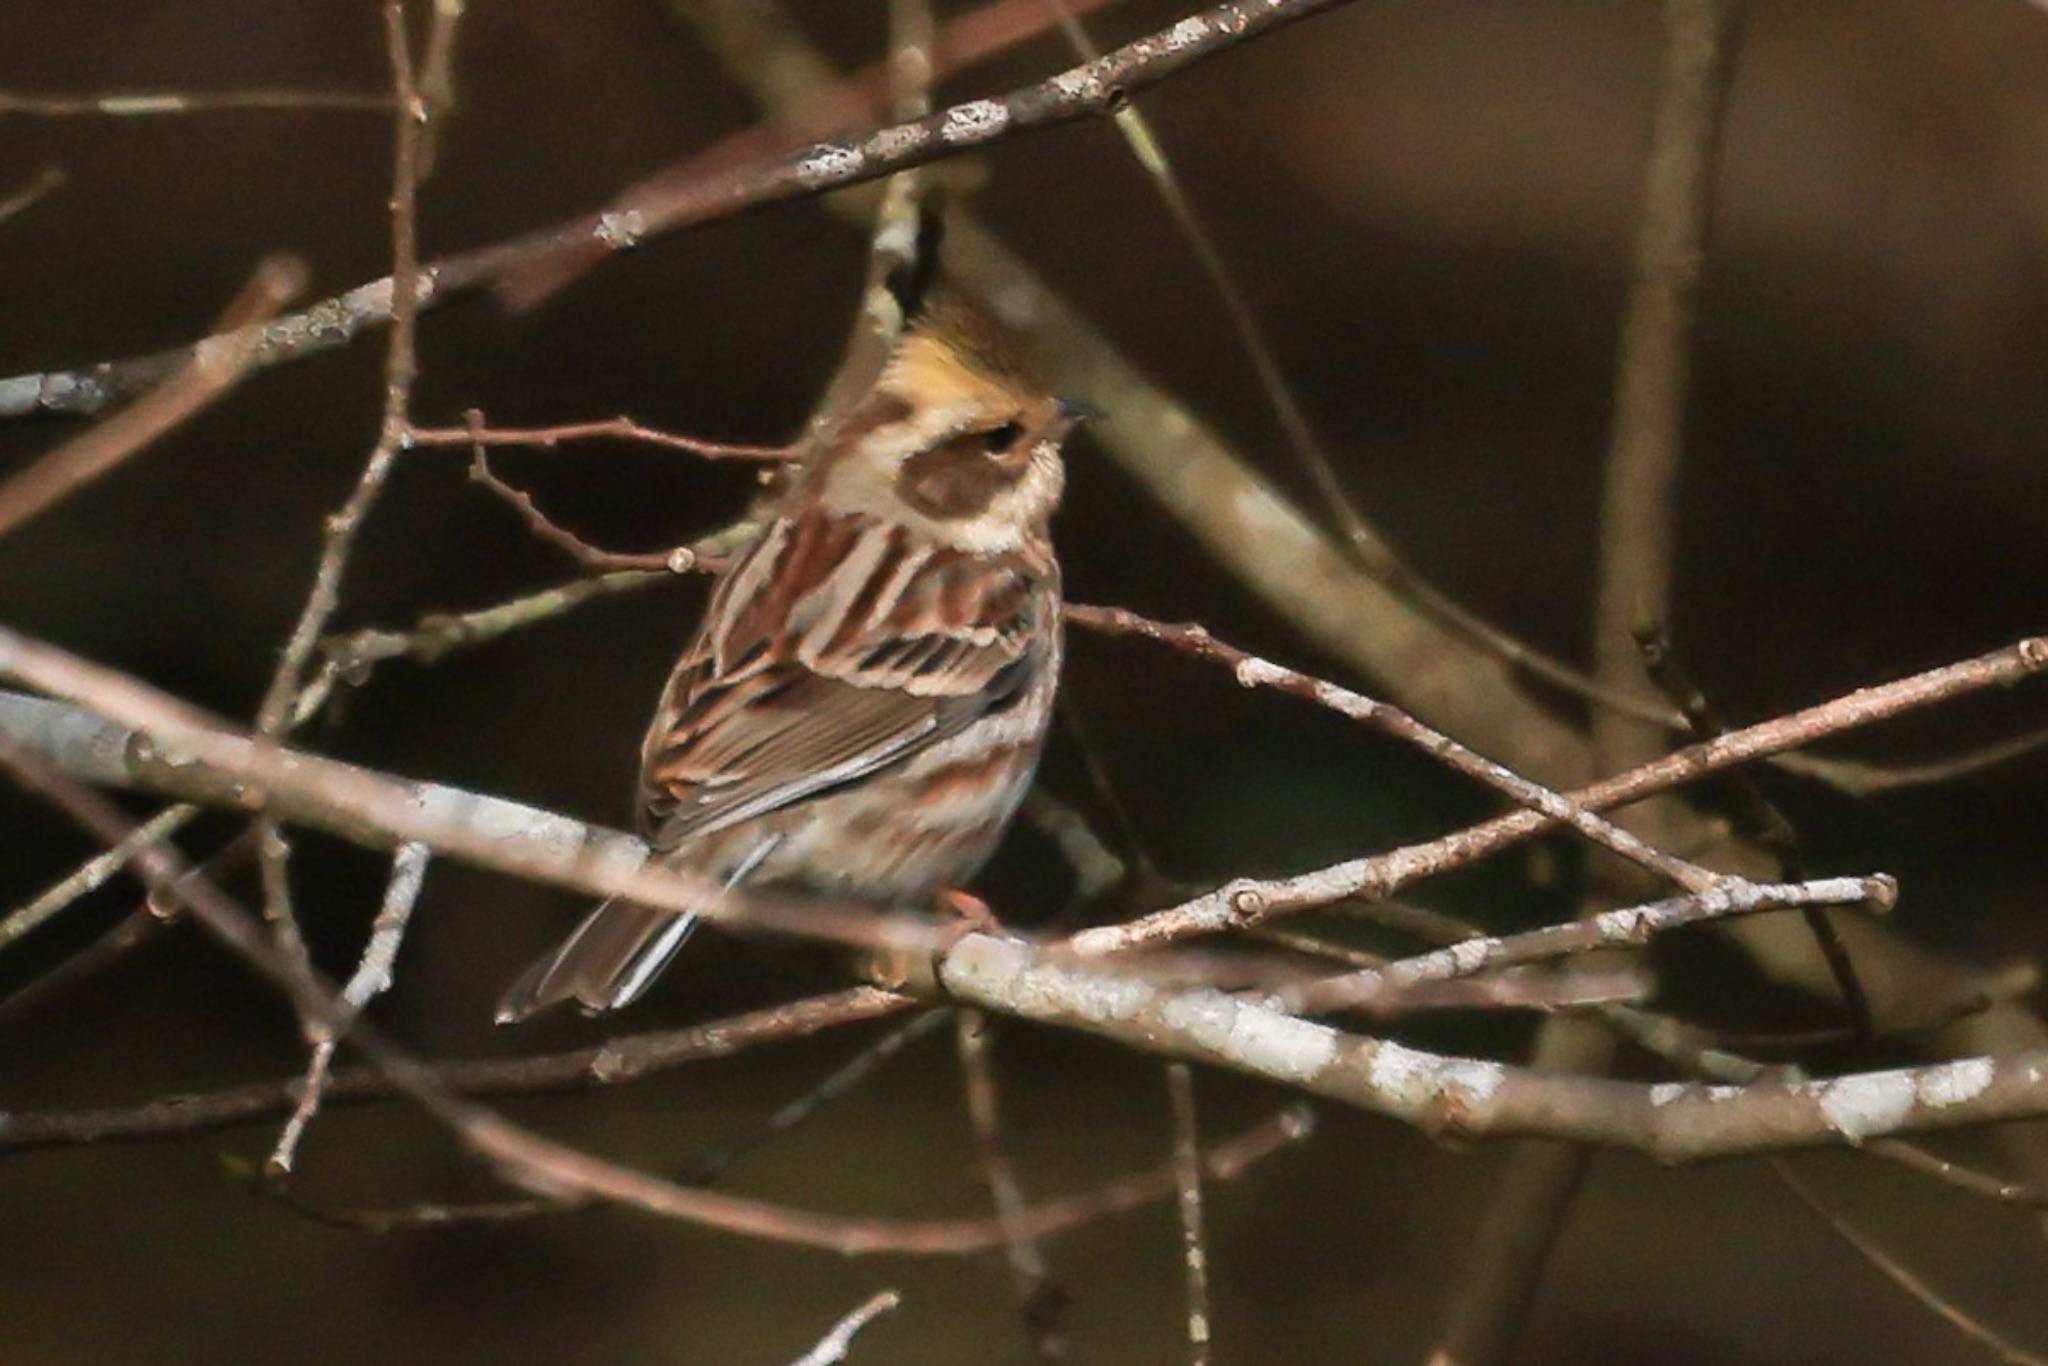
(1431, 208)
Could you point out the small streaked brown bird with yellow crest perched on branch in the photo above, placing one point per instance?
(867, 695)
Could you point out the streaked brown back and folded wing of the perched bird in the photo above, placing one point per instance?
(833, 650)
